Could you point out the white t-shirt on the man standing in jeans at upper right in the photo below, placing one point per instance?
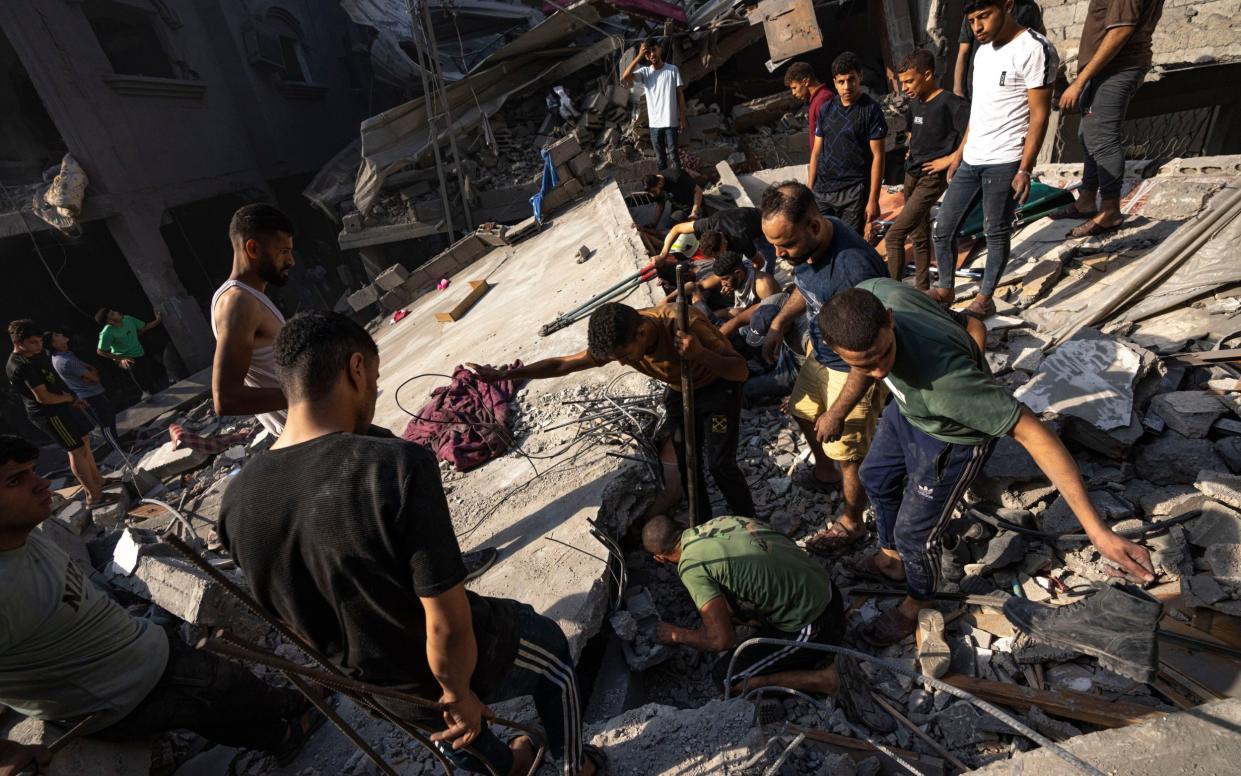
(1001, 115)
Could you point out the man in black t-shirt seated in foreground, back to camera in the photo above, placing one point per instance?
(343, 532)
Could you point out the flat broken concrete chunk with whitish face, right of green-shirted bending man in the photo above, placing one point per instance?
(1090, 377)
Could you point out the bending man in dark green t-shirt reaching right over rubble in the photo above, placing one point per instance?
(935, 438)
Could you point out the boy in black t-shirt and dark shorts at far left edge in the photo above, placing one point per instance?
(52, 405)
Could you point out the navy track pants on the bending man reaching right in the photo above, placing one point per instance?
(915, 482)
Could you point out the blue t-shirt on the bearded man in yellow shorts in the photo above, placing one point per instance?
(848, 261)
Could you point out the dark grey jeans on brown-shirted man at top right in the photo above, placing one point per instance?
(1104, 105)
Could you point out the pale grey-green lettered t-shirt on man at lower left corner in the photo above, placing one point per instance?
(66, 649)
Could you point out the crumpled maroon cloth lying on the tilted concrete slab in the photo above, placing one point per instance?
(466, 423)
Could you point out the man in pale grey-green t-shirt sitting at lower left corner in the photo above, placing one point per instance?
(70, 654)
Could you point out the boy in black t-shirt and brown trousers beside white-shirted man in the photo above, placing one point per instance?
(938, 125)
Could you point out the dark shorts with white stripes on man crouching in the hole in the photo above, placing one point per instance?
(761, 660)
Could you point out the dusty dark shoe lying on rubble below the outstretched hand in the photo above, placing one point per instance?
(1116, 625)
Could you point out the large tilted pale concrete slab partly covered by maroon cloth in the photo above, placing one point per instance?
(548, 557)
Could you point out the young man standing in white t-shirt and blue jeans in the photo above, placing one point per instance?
(1015, 71)
